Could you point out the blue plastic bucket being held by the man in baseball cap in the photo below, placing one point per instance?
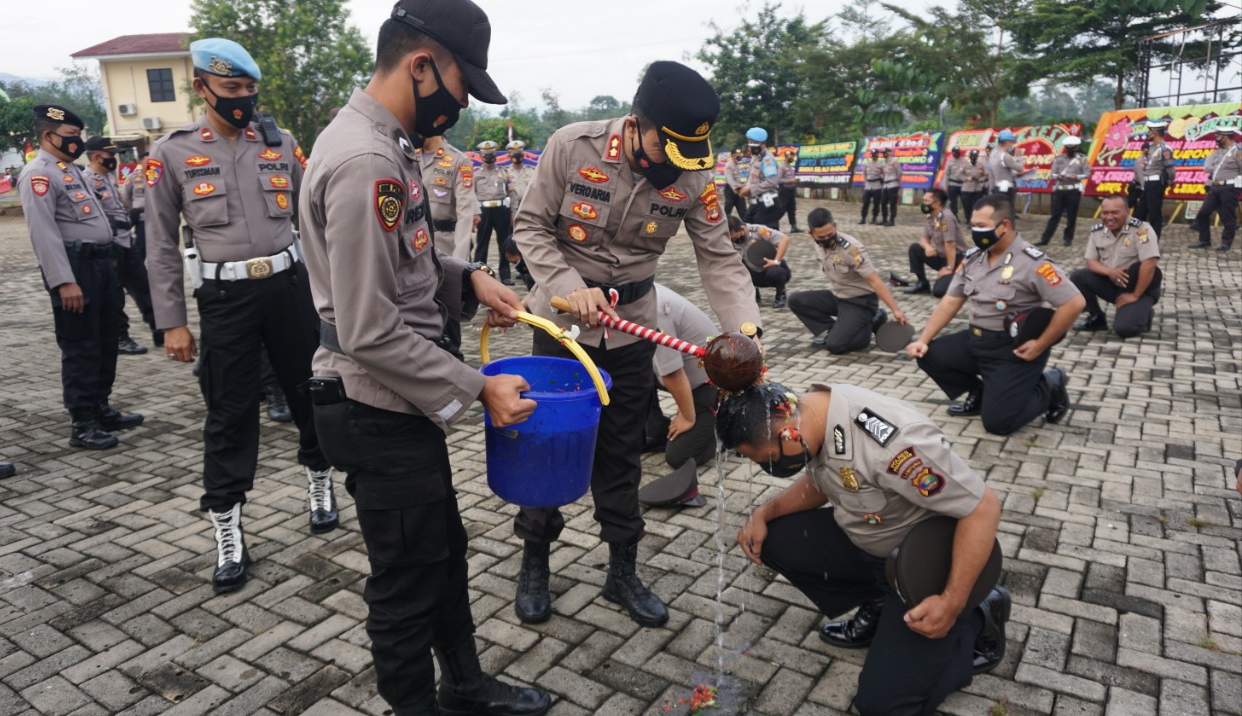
(547, 461)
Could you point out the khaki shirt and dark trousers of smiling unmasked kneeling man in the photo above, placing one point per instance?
(1136, 243)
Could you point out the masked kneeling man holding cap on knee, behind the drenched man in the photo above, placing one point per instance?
(1003, 278)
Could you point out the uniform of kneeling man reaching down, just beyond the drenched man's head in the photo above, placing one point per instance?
(850, 308)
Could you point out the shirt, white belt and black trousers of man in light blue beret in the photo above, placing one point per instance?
(239, 202)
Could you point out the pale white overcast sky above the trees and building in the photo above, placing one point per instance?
(578, 50)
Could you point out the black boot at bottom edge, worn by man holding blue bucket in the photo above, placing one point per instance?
(465, 691)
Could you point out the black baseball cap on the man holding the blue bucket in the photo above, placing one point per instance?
(463, 28)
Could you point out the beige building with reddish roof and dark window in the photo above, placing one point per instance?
(146, 85)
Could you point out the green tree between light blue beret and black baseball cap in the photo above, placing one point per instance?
(311, 57)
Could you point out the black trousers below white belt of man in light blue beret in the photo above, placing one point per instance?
(239, 320)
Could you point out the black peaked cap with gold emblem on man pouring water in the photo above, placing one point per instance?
(684, 108)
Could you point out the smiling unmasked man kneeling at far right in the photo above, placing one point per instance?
(1122, 269)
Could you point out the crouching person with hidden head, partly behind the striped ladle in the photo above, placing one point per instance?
(691, 434)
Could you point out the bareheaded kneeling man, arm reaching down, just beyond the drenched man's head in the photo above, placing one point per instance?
(844, 318)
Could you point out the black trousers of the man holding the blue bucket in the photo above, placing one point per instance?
(397, 469)
